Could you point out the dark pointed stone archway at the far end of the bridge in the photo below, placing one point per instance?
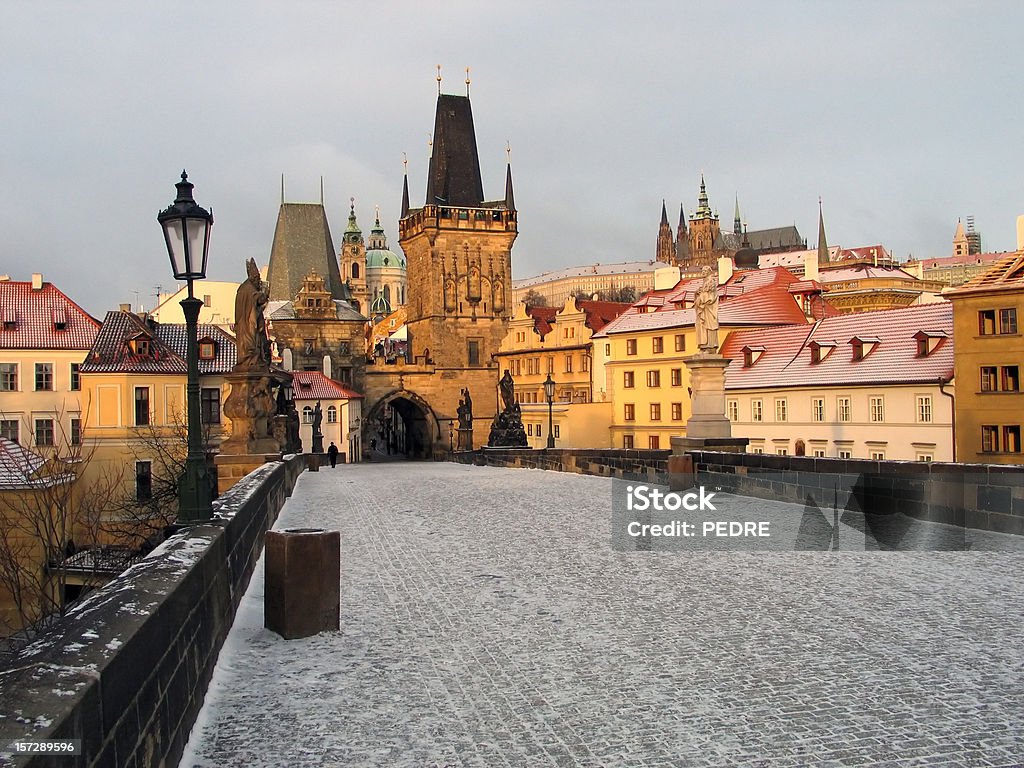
(401, 425)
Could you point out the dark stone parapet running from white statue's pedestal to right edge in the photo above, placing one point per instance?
(975, 496)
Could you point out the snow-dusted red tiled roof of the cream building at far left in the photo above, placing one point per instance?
(35, 316)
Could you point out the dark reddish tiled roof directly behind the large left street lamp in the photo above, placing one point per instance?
(112, 354)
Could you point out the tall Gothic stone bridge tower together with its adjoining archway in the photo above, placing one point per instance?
(459, 251)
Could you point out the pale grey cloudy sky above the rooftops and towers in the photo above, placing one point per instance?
(902, 117)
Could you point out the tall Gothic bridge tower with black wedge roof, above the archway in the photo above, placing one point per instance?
(459, 251)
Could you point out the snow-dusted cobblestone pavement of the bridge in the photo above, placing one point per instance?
(487, 621)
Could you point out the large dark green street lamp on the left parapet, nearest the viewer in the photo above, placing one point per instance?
(187, 233)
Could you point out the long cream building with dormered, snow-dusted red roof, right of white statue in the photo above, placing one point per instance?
(872, 386)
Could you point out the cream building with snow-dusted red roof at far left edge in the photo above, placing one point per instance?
(45, 337)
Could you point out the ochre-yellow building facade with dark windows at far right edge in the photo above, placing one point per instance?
(990, 360)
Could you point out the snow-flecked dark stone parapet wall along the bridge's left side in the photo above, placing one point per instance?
(127, 669)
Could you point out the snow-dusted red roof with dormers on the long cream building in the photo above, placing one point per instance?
(787, 361)
